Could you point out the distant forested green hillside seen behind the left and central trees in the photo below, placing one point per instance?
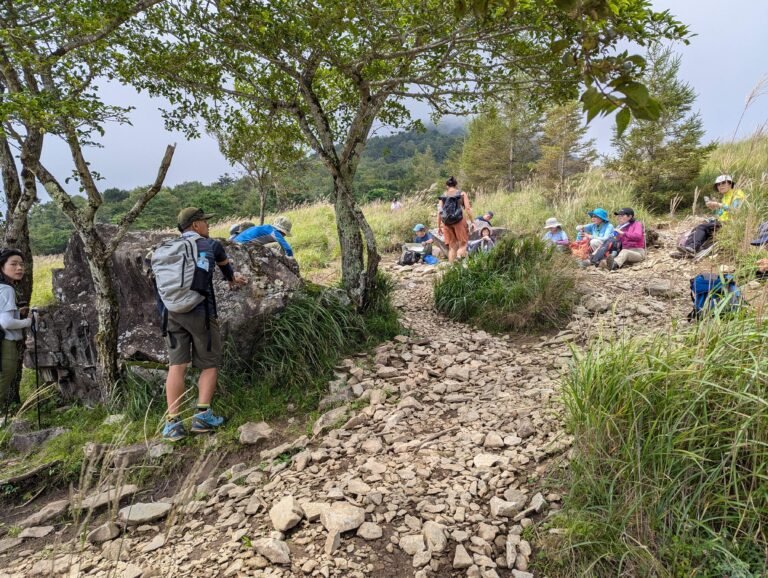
(391, 166)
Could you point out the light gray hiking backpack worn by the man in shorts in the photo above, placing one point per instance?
(174, 265)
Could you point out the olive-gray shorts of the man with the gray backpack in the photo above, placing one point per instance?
(187, 340)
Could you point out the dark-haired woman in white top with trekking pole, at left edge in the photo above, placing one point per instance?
(12, 320)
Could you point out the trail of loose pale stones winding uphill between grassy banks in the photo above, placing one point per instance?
(445, 450)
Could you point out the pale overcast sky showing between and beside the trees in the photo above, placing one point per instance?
(723, 63)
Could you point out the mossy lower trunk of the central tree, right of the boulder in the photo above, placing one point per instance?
(359, 257)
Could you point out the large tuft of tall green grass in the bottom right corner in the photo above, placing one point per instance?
(670, 472)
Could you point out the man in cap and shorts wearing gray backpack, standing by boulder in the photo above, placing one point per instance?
(183, 273)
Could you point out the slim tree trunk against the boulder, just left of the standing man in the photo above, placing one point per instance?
(108, 311)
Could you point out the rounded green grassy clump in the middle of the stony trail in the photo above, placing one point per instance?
(521, 283)
